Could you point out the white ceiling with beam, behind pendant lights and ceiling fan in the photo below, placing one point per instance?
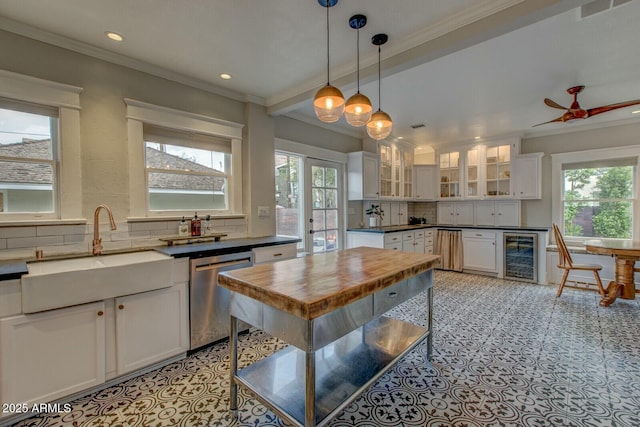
(464, 68)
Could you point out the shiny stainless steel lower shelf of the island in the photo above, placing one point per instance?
(343, 369)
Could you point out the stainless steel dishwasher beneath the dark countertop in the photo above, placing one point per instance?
(209, 303)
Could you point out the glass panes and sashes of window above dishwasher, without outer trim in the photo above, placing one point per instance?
(186, 170)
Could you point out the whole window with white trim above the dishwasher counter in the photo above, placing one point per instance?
(181, 162)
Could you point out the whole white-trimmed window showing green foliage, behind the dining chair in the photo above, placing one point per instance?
(597, 198)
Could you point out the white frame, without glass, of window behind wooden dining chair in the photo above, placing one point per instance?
(557, 160)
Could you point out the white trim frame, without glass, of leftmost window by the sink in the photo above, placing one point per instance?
(66, 98)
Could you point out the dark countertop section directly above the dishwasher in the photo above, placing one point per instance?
(222, 247)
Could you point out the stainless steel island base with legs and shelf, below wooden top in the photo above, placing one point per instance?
(331, 359)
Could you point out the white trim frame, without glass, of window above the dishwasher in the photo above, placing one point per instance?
(139, 113)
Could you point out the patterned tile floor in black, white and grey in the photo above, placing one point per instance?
(505, 354)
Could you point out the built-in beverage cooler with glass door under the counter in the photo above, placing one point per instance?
(521, 256)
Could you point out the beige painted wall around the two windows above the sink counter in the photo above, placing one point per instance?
(104, 132)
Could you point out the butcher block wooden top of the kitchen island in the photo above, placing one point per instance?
(312, 286)
